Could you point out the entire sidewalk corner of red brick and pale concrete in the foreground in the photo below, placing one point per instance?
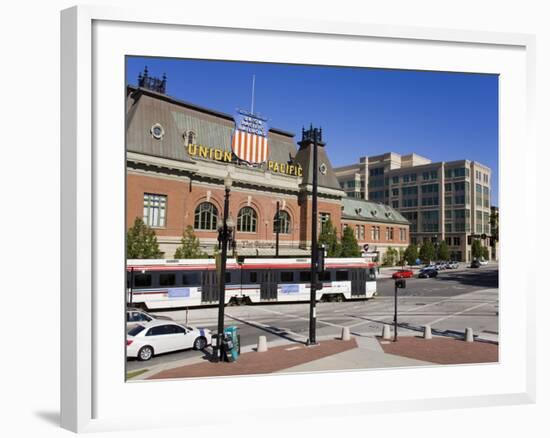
(361, 352)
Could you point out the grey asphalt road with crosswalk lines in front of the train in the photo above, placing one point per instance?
(449, 303)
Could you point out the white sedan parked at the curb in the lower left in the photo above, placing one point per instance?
(147, 339)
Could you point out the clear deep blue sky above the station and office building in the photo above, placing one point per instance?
(442, 116)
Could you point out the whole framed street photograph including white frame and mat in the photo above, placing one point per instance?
(206, 160)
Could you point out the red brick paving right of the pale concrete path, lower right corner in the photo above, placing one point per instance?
(442, 350)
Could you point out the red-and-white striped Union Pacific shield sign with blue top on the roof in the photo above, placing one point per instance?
(250, 138)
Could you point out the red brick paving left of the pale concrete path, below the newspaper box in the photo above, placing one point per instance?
(275, 359)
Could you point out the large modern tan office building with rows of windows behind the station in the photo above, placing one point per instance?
(444, 201)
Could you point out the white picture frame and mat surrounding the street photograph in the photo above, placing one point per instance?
(93, 39)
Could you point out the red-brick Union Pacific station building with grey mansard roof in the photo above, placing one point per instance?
(180, 157)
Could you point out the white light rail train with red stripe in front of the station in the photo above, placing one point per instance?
(158, 284)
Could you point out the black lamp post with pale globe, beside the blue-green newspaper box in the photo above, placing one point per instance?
(225, 232)
